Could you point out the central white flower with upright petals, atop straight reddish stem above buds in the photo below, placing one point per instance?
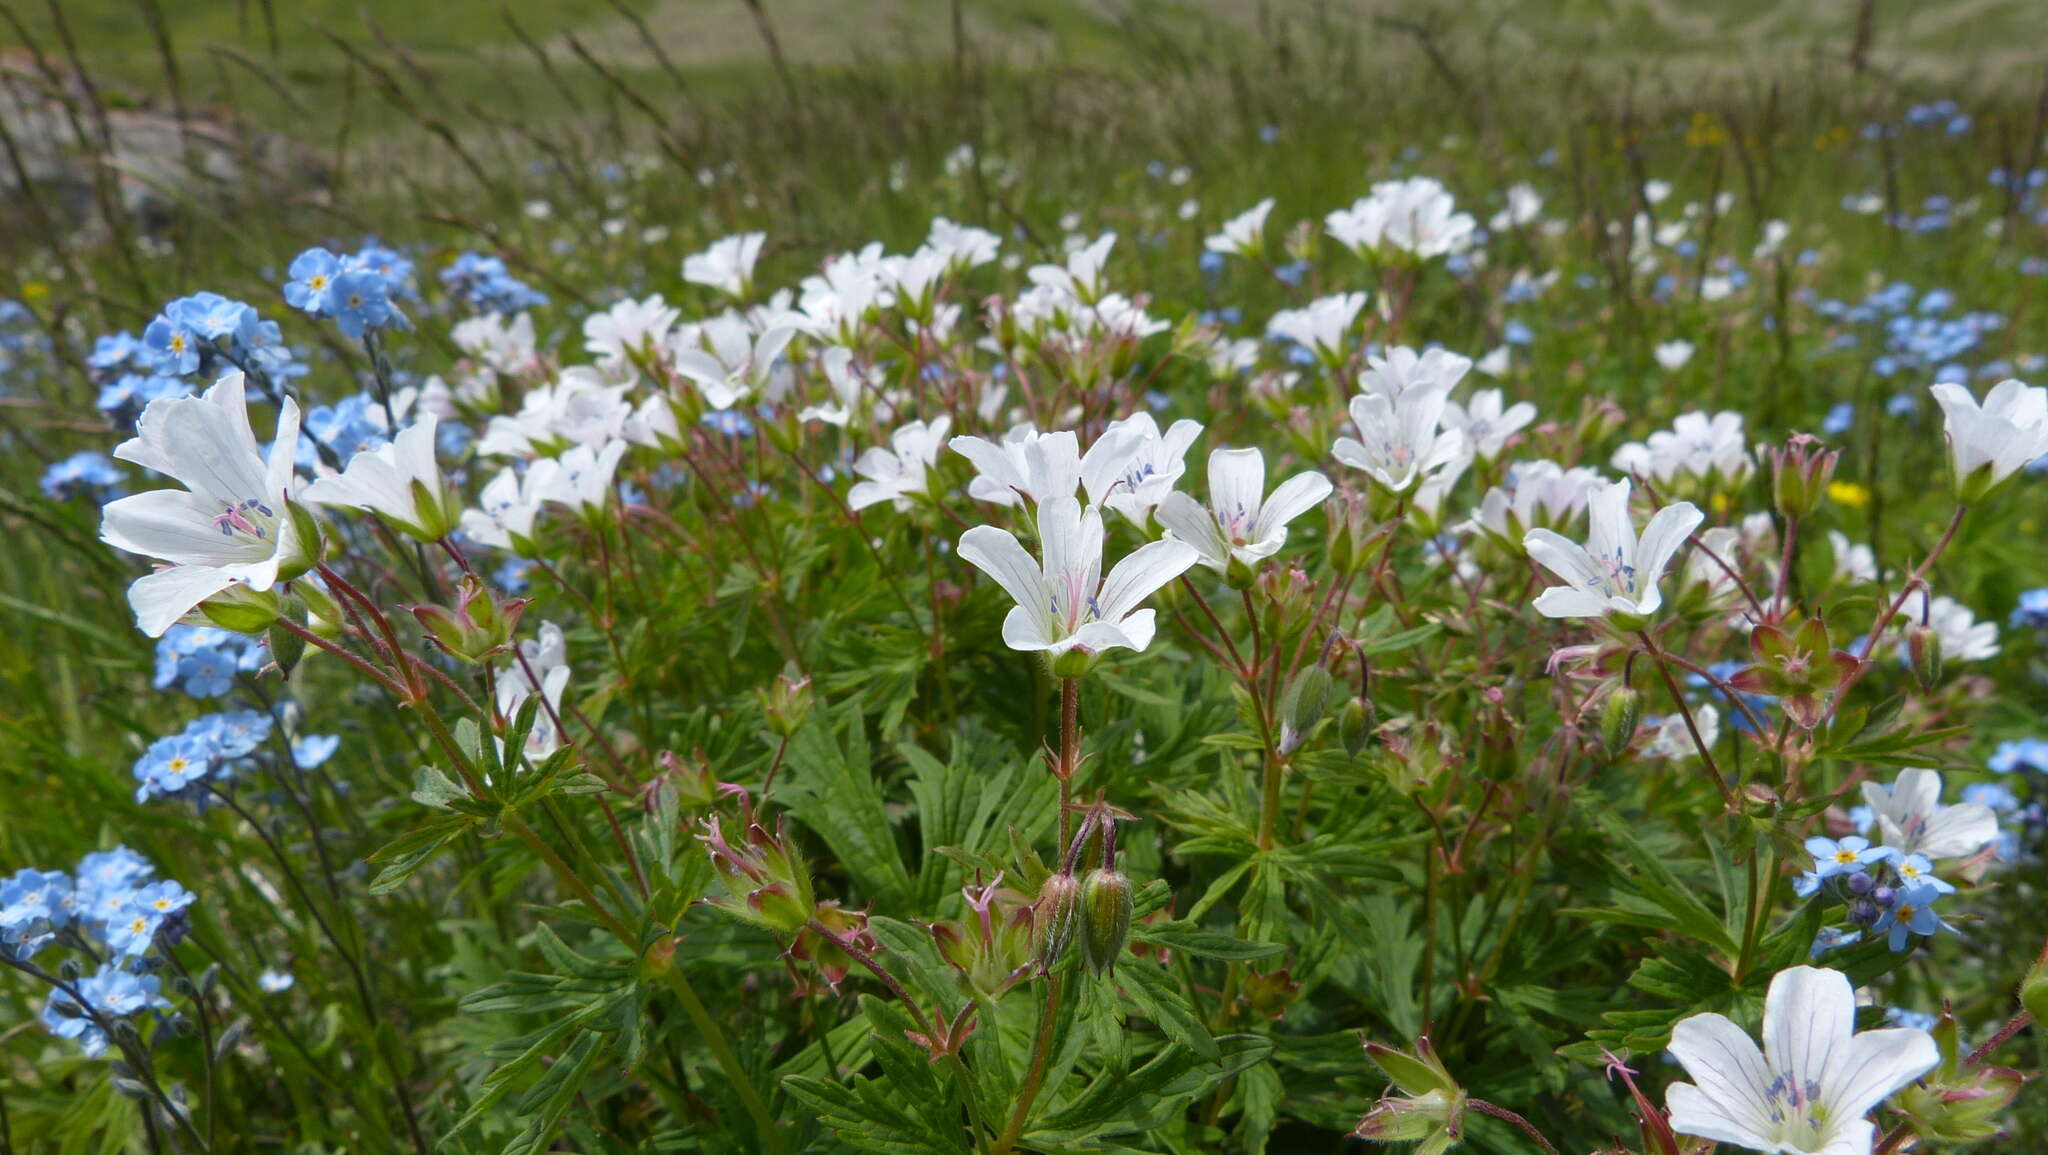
(1066, 605)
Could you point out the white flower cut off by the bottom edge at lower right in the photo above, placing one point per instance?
(1811, 1084)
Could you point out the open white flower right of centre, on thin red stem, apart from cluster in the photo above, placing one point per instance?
(1613, 572)
